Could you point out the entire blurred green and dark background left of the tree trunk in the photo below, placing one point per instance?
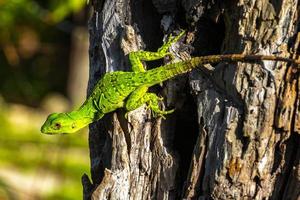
(43, 69)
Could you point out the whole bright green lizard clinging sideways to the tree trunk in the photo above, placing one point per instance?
(129, 89)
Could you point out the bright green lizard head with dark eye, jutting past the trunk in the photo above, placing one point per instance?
(61, 123)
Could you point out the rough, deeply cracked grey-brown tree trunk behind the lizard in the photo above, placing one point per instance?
(235, 131)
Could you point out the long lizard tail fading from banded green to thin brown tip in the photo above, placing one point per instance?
(165, 72)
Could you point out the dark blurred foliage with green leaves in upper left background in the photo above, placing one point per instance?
(35, 44)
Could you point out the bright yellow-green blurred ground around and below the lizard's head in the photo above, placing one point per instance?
(36, 166)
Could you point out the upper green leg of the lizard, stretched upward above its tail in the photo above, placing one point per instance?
(136, 58)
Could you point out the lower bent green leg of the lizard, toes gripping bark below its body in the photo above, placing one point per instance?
(140, 96)
